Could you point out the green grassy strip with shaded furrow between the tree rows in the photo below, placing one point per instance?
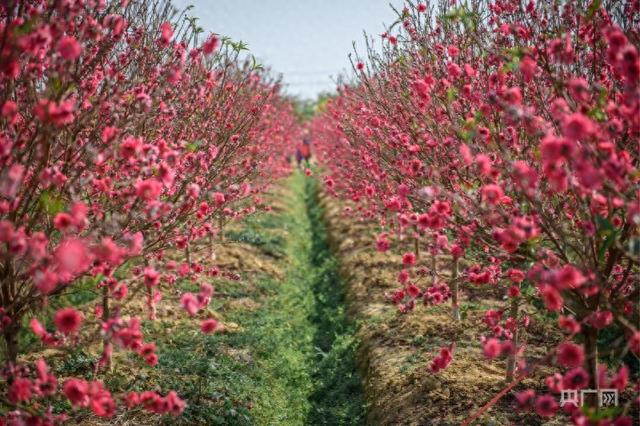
(297, 366)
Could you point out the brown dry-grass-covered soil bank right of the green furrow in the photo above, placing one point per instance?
(396, 349)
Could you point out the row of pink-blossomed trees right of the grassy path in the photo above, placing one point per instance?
(507, 134)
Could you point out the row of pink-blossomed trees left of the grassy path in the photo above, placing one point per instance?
(122, 136)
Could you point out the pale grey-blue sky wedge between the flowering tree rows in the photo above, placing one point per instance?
(306, 40)
